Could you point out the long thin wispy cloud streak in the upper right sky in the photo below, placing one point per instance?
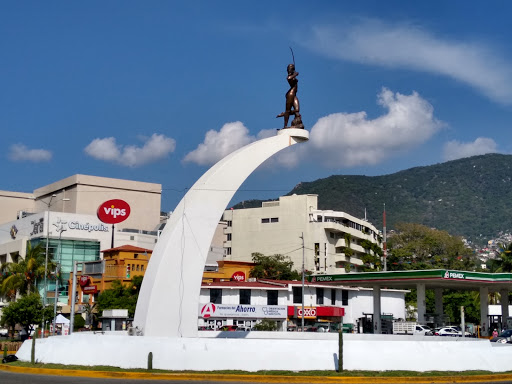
(409, 46)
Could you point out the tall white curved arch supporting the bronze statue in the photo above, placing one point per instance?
(168, 303)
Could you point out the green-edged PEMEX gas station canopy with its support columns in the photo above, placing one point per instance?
(434, 279)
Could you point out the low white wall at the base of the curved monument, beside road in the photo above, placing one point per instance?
(257, 351)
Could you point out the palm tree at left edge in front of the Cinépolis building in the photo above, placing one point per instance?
(20, 278)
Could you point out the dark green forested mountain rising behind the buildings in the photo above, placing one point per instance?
(470, 197)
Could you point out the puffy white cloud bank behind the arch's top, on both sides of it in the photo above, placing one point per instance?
(338, 140)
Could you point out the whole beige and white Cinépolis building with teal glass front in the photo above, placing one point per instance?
(63, 217)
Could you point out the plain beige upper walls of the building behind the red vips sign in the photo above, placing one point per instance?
(83, 194)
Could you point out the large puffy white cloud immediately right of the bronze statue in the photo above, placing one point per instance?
(350, 139)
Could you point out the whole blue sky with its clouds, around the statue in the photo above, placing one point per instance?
(159, 91)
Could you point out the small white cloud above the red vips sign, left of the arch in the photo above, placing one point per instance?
(155, 148)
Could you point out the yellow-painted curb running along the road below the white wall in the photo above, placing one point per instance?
(254, 378)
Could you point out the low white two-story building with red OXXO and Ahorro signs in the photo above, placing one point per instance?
(226, 304)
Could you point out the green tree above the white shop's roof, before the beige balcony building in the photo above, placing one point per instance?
(276, 267)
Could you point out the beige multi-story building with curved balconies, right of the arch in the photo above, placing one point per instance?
(333, 242)
